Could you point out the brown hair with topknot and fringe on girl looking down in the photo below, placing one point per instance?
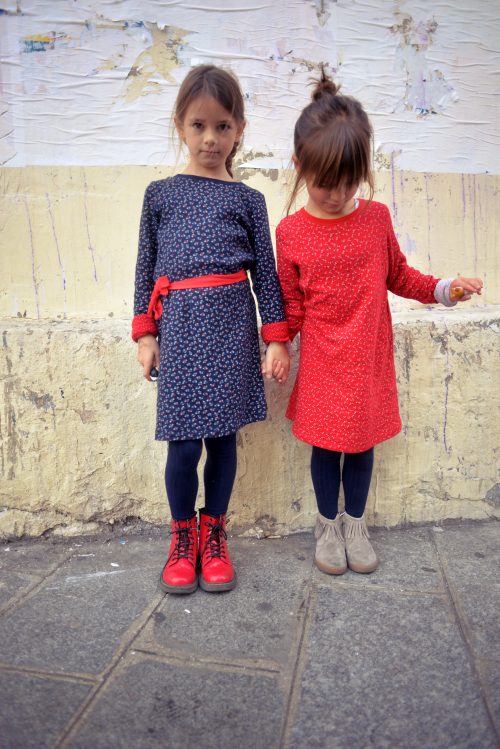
(332, 140)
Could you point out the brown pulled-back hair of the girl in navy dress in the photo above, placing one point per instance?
(221, 85)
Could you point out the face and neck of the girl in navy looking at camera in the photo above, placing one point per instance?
(209, 132)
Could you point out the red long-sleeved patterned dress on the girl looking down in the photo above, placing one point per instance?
(334, 275)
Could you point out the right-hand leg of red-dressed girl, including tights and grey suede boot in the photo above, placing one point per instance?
(356, 477)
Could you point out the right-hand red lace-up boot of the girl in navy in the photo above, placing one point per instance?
(217, 572)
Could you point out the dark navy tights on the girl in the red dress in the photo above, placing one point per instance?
(326, 477)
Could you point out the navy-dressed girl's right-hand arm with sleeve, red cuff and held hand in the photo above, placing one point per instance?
(274, 330)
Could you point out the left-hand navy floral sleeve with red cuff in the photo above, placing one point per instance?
(142, 323)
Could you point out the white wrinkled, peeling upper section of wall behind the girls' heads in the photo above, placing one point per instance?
(95, 85)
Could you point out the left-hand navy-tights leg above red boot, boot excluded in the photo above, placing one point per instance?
(181, 477)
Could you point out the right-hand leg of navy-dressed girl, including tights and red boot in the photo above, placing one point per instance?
(217, 571)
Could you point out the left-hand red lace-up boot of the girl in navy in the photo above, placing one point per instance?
(179, 574)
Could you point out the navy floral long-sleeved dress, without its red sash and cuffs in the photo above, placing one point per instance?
(210, 382)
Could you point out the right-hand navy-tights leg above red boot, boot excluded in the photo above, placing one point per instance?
(219, 473)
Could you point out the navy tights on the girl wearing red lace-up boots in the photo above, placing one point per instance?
(181, 476)
